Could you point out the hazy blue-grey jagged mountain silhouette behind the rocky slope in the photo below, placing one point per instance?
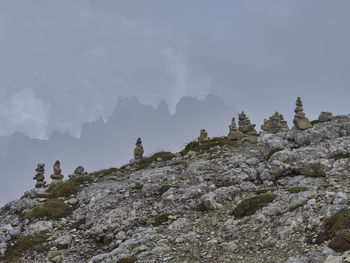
(104, 144)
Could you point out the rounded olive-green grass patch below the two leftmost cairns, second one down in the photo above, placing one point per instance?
(51, 209)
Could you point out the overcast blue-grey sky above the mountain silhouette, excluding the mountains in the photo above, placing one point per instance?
(64, 62)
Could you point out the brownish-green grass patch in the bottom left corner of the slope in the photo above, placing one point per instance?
(24, 244)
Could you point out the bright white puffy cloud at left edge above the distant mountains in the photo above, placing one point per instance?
(25, 113)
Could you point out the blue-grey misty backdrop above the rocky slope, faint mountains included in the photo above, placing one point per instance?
(64, 64)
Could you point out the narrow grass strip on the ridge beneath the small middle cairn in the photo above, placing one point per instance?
(207, 145)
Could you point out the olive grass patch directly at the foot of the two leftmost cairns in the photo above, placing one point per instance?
(69, 187)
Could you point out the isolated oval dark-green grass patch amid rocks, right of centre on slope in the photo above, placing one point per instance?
(251, 205)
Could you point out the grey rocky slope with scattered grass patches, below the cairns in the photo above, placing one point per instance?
(271, 198)
